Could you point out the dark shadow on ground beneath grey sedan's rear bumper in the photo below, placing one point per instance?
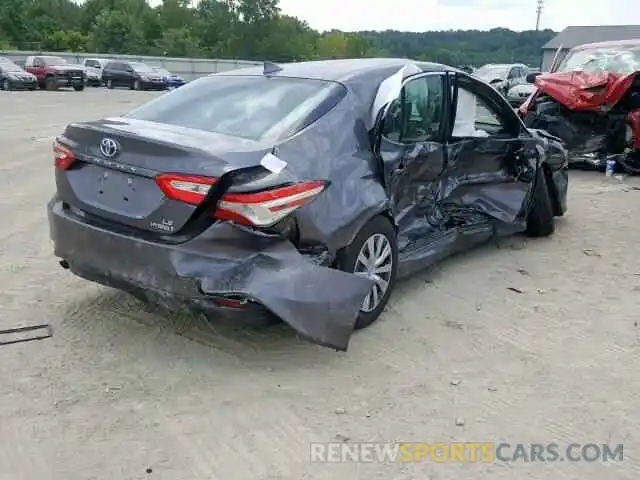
(107, 310)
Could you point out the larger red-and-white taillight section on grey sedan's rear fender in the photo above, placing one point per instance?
(263, 209)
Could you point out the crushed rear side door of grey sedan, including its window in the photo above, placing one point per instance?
(412, 153)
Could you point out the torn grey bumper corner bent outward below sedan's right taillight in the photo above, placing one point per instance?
(320, 303)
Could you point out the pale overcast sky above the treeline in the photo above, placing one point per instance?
(424, 15)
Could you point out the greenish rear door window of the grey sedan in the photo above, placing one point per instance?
(416, 115)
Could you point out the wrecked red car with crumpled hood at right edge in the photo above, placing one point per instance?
(591, 102)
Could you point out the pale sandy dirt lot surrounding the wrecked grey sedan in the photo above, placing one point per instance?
(119, 390)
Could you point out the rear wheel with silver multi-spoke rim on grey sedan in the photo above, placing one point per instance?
(379, 232)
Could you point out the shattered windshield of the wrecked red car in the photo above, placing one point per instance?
(615, 60)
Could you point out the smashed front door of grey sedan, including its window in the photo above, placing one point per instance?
(491, 158)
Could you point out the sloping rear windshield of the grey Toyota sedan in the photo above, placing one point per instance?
(252, 107)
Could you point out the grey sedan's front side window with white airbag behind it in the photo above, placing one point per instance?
(475, 117)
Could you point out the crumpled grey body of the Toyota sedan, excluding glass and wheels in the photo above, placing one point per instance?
(442, 196)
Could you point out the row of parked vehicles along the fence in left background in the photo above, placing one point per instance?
(52, 73)
